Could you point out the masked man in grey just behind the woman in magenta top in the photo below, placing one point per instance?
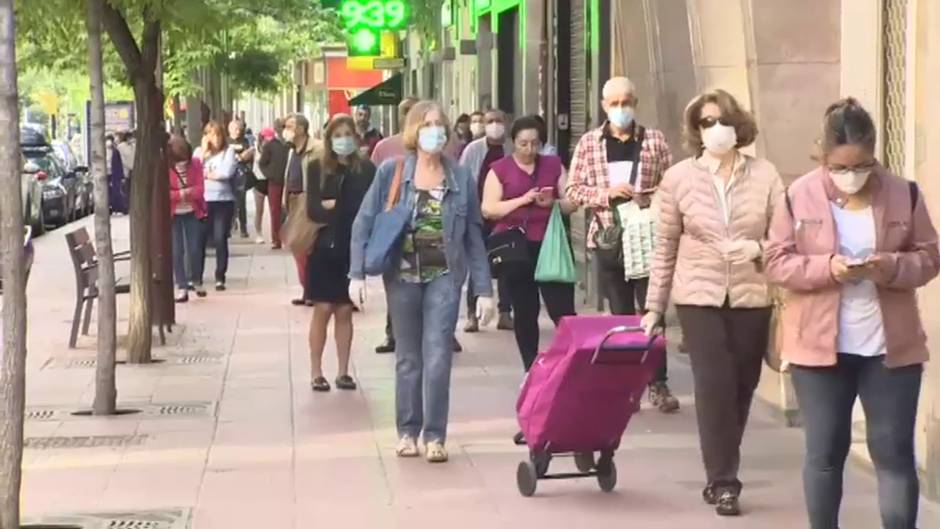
(477, 157)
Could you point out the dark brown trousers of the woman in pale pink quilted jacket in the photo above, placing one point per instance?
(727, 348)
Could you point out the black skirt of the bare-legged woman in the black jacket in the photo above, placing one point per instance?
(328, 272)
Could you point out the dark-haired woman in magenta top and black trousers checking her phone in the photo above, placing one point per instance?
(520, 191)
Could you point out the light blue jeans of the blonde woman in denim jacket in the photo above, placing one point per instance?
(424, 316)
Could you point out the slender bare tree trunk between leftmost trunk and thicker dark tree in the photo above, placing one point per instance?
(105, 384)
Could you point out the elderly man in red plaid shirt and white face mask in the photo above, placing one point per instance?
(602, 176)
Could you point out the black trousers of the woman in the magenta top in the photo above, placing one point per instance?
(524, 292)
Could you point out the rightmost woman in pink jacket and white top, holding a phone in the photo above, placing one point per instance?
(851, 243)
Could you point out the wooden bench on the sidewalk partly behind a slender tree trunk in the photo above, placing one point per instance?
(85, 262)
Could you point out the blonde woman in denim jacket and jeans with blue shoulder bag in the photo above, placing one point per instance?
(429, 263)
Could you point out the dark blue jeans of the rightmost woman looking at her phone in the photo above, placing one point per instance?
(889, 396)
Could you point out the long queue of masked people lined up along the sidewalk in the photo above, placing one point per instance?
(713, 235)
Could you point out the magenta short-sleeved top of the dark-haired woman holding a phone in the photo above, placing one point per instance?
(516, 182)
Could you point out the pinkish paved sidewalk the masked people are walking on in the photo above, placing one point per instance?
(232, 437)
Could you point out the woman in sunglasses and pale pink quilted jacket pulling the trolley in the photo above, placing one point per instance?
(715, 209)
